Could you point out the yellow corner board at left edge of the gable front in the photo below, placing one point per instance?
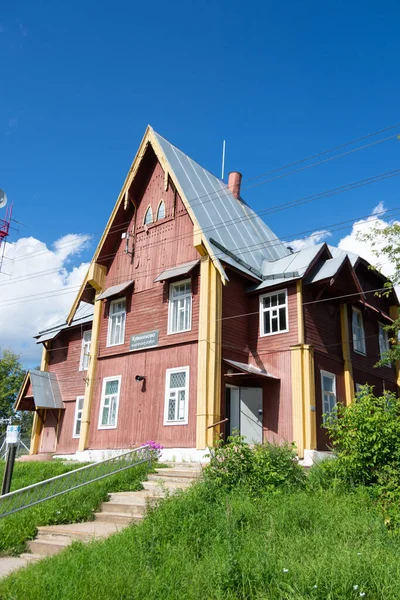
(90, 379)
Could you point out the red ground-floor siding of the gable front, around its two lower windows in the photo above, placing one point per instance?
(141, 413)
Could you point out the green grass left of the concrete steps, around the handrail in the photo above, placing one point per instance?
(79, 505)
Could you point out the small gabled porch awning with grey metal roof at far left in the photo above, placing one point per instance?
(40, 389)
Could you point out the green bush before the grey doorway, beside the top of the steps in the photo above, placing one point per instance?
(264, 468)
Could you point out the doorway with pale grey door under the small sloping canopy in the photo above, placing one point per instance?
(244, 409)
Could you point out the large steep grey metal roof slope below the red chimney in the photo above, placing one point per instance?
(231, 222)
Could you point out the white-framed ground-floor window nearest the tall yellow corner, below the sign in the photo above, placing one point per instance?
(176, 396)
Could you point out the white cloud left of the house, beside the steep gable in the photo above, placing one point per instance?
(42, 285)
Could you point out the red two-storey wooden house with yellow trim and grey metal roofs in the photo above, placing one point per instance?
(194, 319)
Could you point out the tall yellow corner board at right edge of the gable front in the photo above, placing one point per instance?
(209, 354)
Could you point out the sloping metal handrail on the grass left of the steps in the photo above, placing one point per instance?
(72, 480)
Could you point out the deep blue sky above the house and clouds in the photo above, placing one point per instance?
(278, 81)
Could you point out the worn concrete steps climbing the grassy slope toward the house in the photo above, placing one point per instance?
(121, 510)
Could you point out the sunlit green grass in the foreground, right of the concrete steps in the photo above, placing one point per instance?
(199, 546)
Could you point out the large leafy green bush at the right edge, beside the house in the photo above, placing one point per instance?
(366, 436)
